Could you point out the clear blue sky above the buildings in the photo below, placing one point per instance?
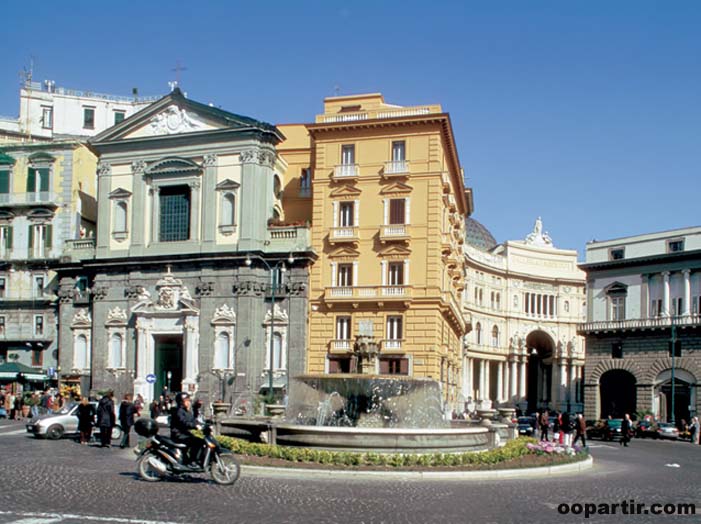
(586, 113)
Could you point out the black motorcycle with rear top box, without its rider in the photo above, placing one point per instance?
(162, 457)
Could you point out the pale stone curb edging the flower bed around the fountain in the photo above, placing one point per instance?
(523, 473)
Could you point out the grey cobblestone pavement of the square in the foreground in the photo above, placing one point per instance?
(48, 481)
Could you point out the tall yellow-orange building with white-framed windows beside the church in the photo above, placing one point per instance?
(383, 188)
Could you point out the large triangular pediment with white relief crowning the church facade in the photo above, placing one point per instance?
(174, 114)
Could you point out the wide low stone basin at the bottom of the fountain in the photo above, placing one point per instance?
(409, 440)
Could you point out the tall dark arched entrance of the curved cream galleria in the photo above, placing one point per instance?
(540, 350)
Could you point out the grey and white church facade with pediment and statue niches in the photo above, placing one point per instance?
(193, 282)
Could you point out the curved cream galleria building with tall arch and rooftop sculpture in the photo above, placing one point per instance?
(526, 299)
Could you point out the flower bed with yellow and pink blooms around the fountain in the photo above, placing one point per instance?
(522, 452)
